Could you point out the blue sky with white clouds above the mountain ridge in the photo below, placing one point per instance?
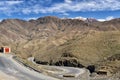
(33, 9)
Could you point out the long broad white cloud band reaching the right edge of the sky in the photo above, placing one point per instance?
(85, 5)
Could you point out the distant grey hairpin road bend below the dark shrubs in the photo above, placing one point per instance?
(60, 71)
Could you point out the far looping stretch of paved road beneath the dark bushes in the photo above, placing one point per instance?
(60, 71)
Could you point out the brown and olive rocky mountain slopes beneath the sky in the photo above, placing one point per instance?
(64, 42)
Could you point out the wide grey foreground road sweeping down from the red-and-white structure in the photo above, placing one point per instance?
(12, 68)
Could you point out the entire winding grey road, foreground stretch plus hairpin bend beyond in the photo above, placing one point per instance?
(13, 69)
